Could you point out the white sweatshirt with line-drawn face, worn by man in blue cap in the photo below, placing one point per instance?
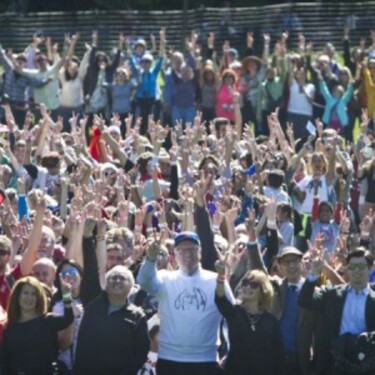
(189, 318)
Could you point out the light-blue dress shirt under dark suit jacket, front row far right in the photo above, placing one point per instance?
(353, 316)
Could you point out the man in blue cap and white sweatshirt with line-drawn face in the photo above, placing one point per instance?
(189, 319)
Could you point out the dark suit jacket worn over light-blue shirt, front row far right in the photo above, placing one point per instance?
(330, 303)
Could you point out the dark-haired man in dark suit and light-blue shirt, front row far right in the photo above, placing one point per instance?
(347, 308)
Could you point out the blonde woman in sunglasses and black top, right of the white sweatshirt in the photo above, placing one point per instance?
(254, 333)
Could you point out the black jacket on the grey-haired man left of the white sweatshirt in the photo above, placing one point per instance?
(115, 343)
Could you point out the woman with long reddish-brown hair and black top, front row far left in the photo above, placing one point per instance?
(30, 336)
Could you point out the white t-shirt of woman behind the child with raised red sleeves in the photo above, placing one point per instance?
(307, 185)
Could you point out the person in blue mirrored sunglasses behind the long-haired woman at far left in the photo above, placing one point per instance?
(71, 273)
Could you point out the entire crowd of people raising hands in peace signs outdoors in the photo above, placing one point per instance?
(200, 211)
